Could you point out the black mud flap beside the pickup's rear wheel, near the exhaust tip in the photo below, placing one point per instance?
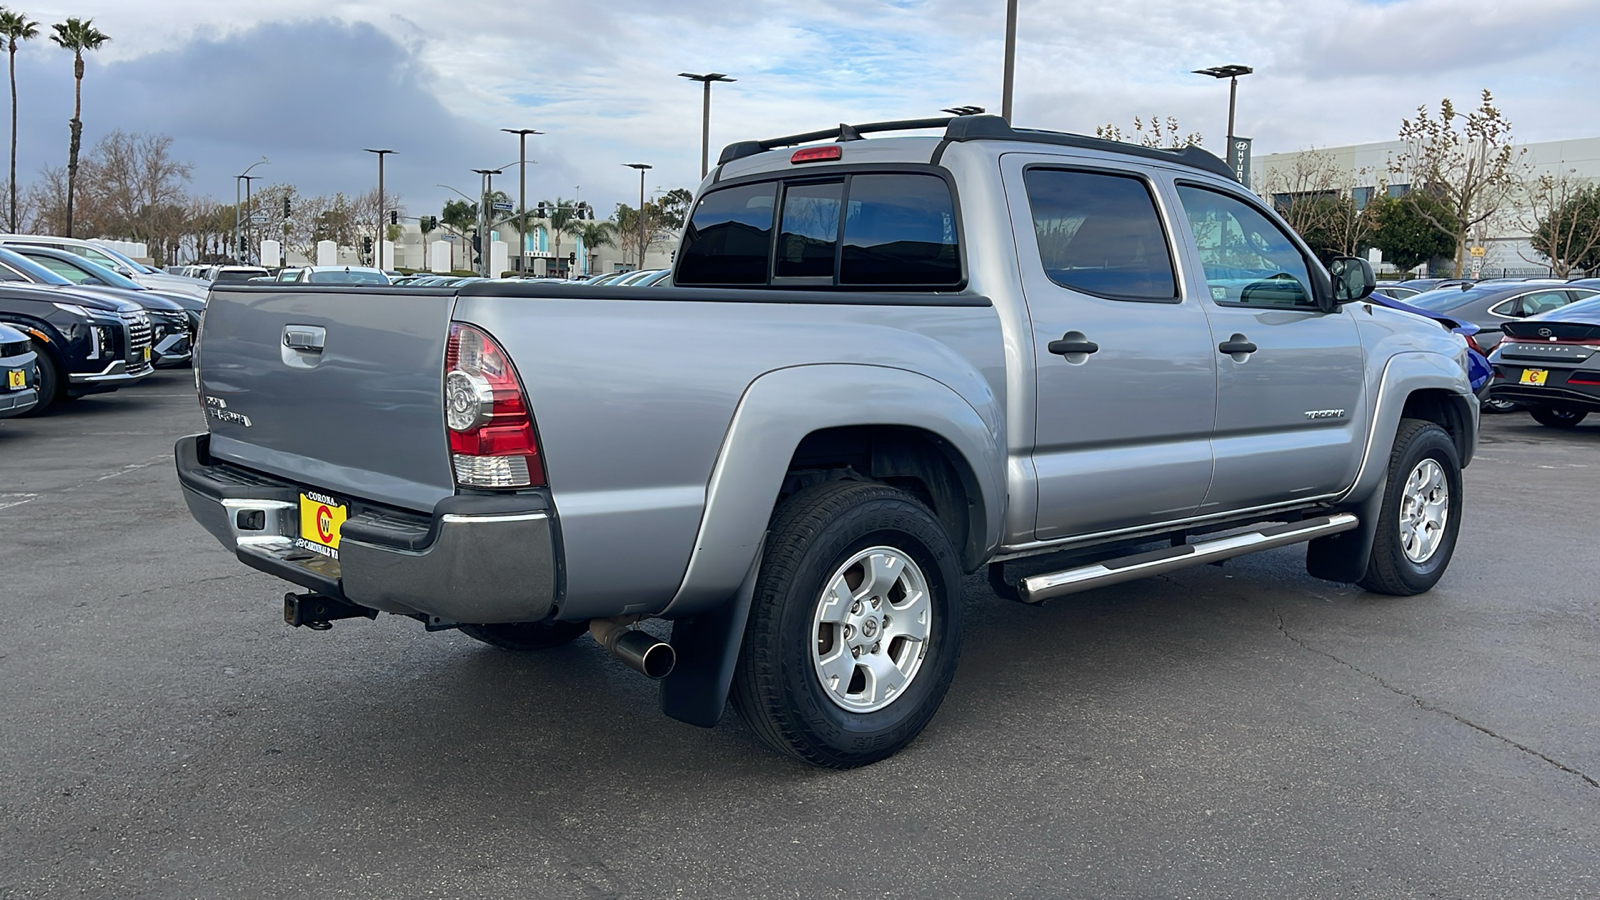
(708, 649)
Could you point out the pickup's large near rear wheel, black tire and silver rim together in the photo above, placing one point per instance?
(855, 627)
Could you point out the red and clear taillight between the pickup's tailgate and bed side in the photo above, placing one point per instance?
(492, 443)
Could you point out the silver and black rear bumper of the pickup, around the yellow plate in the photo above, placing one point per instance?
(474, 560)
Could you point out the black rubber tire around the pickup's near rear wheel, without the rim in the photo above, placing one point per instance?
(778, 688)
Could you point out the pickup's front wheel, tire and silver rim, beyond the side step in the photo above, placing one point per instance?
(1422, 513)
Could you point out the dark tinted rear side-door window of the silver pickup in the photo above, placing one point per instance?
(1100, 235)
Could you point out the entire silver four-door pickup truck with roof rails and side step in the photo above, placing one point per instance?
(886, 364)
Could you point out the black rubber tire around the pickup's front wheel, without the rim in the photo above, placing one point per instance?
(1390, 571)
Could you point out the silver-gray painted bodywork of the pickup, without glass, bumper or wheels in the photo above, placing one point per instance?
(668, 417)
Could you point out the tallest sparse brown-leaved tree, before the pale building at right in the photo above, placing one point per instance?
(1466, 163)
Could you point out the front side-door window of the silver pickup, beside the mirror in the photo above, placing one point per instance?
(1249, 260)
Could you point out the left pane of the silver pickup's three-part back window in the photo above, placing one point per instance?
(729, 239)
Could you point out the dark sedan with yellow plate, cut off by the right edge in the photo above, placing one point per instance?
(1551, 364)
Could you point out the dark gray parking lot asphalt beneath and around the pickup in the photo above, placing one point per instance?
(1238, 731)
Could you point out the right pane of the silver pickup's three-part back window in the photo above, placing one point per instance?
(900, 230)
